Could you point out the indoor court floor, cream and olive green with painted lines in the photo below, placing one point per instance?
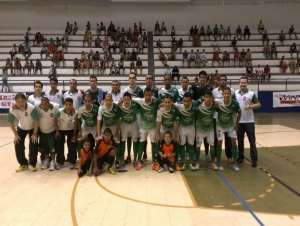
(267, 195)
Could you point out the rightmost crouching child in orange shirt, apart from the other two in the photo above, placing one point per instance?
(166, 155)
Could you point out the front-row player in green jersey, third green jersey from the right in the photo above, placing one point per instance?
(186, 127)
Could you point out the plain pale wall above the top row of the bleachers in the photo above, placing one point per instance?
(275, 16)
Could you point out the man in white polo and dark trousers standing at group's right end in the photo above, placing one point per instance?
(247, 101)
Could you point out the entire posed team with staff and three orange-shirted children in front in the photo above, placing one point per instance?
(97, 127)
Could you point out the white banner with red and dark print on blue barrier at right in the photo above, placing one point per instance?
(286, 99)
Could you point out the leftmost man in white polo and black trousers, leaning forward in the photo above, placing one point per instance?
(28, 124)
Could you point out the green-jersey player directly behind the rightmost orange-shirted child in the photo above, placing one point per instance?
(167, 119)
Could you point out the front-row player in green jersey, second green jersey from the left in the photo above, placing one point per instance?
(109, 117)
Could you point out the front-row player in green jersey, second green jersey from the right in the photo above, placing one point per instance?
(205, 126)
